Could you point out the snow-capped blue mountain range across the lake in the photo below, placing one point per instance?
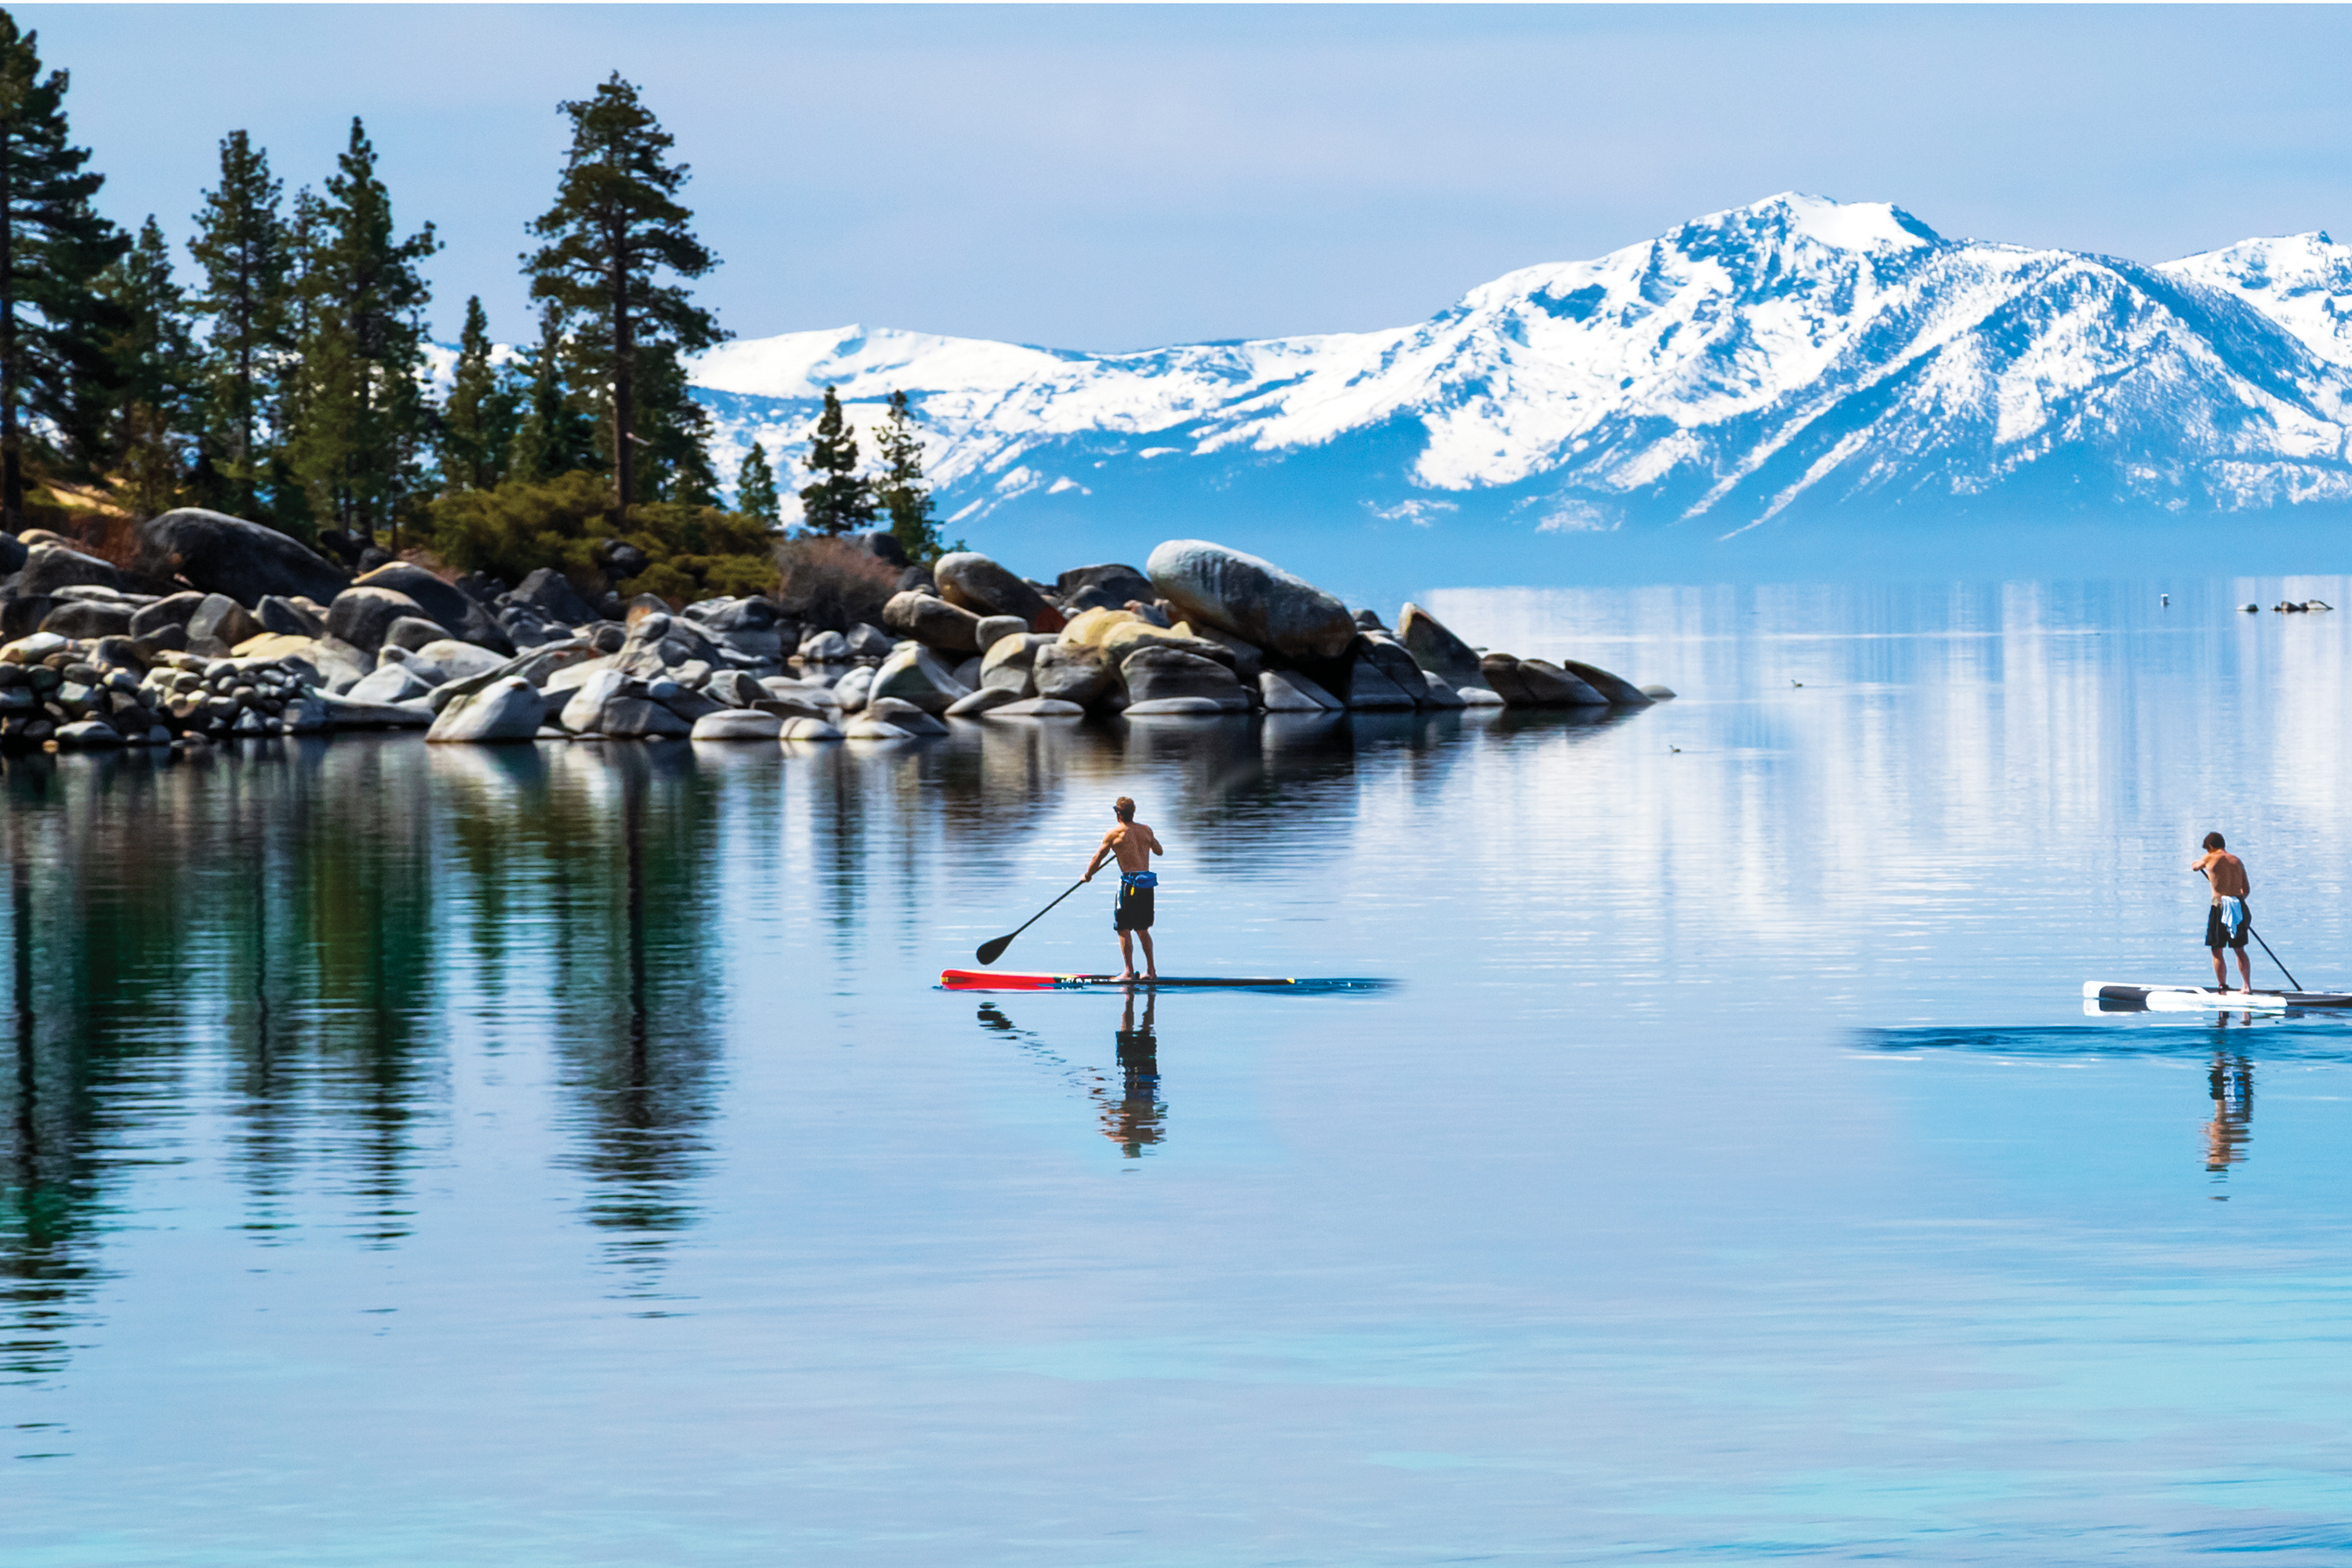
(1786, 361)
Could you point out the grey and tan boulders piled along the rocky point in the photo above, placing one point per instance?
(262, 638)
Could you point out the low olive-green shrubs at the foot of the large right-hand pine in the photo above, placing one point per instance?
(568, 523)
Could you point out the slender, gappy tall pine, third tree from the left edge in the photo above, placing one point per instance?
(241, 243)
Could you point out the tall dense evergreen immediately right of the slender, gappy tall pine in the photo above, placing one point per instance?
(361, 354)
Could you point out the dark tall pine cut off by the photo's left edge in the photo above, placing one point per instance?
(53, 248)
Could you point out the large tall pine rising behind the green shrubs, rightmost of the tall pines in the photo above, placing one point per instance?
(613, 232)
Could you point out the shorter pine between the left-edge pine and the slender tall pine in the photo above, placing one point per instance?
(149, 361)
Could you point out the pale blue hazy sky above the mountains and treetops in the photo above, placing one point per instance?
(1121, 177)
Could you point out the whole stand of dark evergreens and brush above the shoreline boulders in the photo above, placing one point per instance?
(283, 370)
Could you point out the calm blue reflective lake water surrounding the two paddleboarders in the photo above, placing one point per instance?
(542, 1158)
